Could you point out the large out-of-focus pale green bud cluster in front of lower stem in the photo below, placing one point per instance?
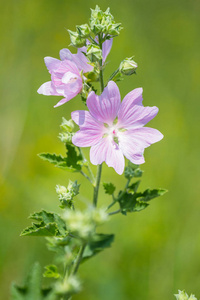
(83, 224)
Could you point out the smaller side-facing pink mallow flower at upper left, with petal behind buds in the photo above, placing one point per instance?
(66, 77)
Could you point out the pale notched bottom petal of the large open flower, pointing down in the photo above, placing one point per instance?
(108, 151)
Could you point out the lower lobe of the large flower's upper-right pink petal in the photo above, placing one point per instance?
(137, 116)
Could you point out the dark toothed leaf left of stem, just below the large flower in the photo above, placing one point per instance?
(72, 162)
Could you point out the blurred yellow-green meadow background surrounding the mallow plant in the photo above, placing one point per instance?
(156, 252)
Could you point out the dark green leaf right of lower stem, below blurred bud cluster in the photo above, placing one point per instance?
(99, 243)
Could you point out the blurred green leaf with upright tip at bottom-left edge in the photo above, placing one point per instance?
(32, 289)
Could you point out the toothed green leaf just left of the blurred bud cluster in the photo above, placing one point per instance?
(50, 224)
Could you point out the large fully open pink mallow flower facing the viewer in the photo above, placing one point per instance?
(114, 129)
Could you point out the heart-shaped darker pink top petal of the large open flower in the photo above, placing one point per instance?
(104, 108)
